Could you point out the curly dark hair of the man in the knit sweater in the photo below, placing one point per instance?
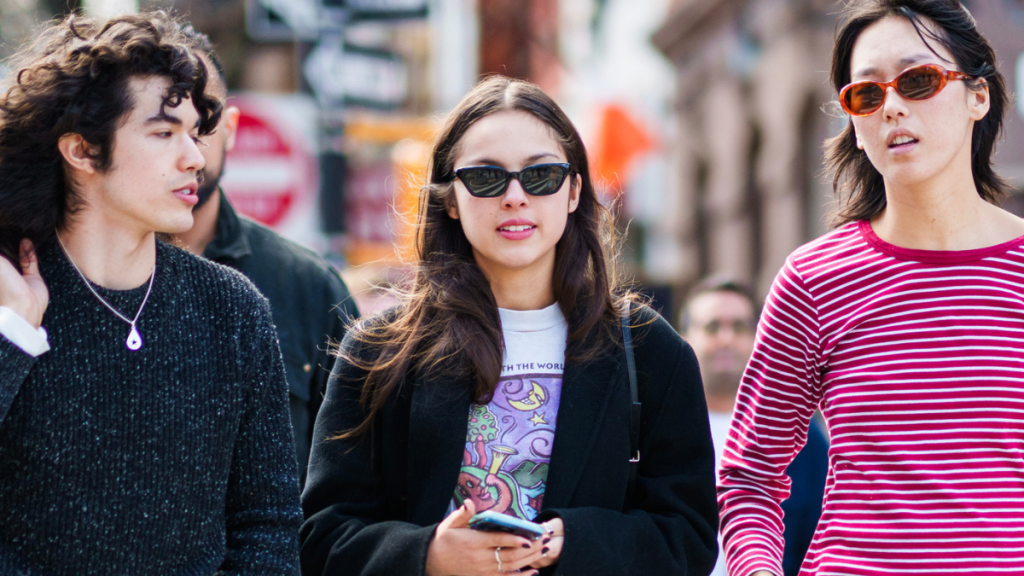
(75, 79)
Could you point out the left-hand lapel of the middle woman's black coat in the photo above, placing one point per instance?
(439, 420)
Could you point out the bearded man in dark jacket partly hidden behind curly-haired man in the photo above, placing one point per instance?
(311, 304)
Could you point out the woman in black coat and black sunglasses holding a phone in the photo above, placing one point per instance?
(502, 384)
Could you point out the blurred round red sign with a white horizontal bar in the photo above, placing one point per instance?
(269, 174)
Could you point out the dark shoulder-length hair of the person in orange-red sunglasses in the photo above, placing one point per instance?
(860, 190)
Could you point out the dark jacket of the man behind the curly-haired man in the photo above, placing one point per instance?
(310, 303)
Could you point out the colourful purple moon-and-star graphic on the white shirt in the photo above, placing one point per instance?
(508, 446)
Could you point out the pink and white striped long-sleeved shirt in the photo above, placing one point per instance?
(916, 359)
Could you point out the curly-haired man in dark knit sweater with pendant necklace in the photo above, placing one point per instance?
(145, 431)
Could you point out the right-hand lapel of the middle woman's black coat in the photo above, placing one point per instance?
(586, 393)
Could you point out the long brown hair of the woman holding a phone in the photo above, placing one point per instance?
(448, 321)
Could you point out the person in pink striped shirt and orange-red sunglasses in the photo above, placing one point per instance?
(906, 325)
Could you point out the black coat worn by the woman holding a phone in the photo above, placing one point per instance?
(372, 507)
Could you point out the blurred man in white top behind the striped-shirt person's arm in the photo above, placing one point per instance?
(718, 321)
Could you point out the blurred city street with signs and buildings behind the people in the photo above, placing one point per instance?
(704, 118)
